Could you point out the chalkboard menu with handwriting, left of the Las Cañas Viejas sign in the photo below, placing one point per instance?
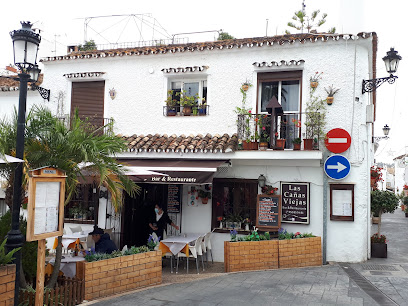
(267, 212)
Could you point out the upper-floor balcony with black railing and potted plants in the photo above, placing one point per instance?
(265, 128)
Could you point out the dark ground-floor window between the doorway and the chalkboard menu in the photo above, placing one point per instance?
(234, 197)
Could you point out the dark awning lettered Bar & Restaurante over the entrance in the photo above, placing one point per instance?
(178, 171)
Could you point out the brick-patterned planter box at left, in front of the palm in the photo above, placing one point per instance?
(115, 275)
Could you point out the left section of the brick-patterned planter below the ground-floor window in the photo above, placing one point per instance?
(250, 255)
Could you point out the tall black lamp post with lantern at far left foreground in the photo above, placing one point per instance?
(25, 47)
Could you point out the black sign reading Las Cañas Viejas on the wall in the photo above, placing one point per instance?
(295, 202)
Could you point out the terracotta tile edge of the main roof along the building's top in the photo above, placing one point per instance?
(221, 44)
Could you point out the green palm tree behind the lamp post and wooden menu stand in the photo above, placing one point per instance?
(51, 142)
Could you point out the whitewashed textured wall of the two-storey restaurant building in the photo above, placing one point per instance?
(138, 109)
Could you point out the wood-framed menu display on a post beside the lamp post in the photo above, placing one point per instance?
(46, 195)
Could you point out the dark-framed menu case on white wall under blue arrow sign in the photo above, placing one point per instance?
(342, 202)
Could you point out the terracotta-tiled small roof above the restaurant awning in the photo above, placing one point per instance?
(191, 143)
